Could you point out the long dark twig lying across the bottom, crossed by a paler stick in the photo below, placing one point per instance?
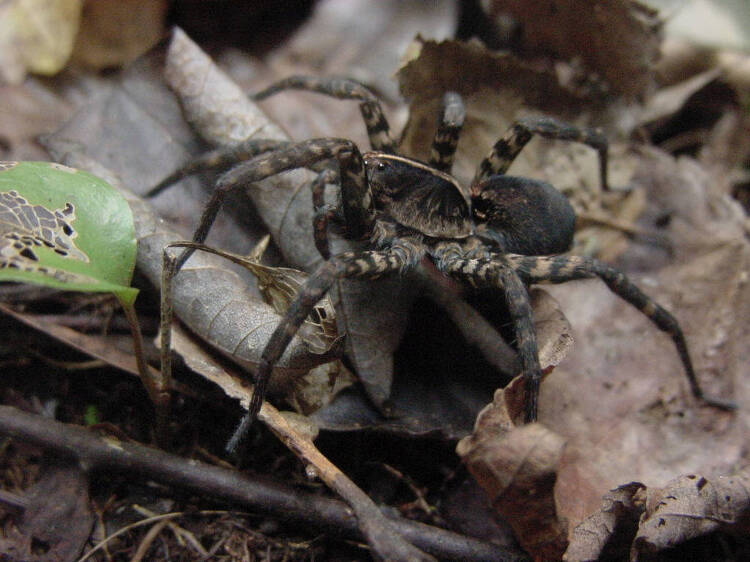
(104, 453)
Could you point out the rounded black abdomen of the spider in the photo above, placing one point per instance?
(524, 216)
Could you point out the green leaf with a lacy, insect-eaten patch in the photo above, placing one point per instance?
(65, 228)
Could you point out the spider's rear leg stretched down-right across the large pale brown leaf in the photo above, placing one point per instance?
(559, 269)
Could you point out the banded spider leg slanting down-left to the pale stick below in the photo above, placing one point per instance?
(367, 265)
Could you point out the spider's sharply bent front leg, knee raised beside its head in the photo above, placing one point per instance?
(356, 197)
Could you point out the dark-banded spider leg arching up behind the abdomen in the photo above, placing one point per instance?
(519, 134)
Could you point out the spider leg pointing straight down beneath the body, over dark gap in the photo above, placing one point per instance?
(496, 272)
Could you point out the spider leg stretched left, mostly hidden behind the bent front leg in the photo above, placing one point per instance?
(220, 158)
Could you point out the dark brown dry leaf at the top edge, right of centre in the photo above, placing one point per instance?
(617, 40)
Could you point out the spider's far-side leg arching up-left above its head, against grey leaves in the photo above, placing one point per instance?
(378, 130)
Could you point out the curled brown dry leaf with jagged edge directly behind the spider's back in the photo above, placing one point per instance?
(496, 88)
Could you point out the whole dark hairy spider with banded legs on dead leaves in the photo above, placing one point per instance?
(504, 232)
